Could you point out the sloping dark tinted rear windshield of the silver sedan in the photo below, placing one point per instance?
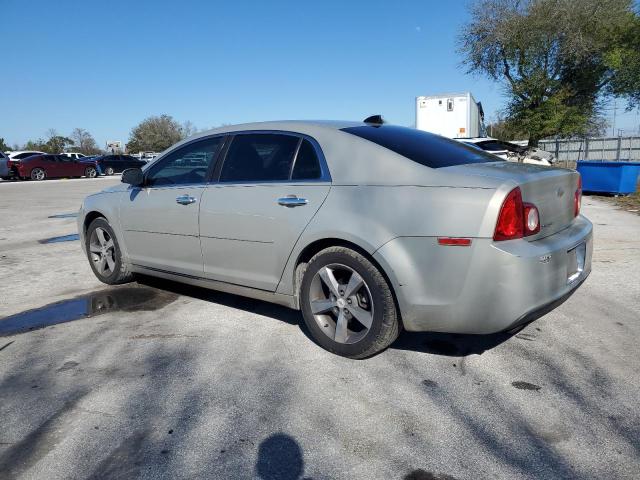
(424, 148)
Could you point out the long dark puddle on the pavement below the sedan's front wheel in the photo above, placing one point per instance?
(125, 299)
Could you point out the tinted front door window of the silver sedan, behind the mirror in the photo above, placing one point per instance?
(177, 168)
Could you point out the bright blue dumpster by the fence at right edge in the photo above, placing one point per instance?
(609, 177)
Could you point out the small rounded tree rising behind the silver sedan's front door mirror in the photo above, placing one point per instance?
(154, 134)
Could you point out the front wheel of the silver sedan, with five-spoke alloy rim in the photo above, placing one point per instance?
(105, 256)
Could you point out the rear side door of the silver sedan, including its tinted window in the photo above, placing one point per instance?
(270, 186)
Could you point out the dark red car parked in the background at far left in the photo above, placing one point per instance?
(39, 167)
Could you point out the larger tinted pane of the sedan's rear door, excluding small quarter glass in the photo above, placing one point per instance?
(259, 157)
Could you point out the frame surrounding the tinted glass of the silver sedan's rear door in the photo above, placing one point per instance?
(325, 176)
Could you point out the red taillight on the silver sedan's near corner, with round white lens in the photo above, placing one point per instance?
(516, 219)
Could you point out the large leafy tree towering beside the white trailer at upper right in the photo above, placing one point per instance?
(557, 59)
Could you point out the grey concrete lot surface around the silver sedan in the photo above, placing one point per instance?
(165, 381)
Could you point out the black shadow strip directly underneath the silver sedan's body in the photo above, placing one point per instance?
(448, 344)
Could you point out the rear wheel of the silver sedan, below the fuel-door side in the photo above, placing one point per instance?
(347, 304)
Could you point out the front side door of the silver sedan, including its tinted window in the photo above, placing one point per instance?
(160, 219)
